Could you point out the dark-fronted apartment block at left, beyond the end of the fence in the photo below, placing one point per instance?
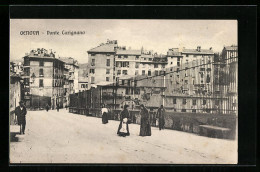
(43, 79)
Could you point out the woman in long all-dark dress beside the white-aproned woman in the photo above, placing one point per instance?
(145, 127)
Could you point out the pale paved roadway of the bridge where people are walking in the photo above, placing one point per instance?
(62, 137)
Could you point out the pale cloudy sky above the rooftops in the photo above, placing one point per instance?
(156, 35)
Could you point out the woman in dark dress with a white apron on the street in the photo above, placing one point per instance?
(123, 129)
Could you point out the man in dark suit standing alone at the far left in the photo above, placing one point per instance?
(21, 112)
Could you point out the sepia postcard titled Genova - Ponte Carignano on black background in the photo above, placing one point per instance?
(123, 91)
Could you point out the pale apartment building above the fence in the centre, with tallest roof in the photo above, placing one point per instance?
(110, 63)
